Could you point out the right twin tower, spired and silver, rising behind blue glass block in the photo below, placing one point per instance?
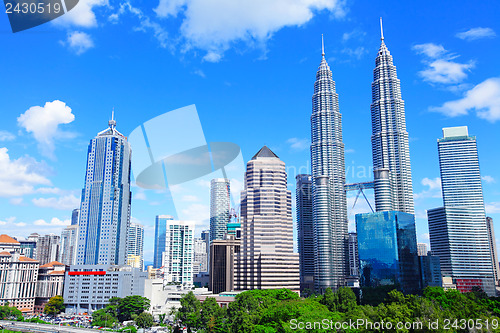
(390, 148)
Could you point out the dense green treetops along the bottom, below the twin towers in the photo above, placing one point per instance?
(268, 311)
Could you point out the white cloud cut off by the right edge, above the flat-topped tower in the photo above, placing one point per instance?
(484, 99)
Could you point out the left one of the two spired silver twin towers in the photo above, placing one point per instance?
(328, 181)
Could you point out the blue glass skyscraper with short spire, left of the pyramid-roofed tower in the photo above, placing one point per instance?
(105, 204)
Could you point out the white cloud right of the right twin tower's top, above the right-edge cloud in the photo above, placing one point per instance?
(440, 65)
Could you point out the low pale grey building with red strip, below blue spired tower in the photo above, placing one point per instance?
(89, 287)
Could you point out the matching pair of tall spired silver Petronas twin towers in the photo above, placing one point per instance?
(391, 161)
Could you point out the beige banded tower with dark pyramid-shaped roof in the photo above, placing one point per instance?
(266, 259)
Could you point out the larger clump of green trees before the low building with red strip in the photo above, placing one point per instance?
(120, 310)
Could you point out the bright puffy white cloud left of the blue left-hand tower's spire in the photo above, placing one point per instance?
(43, 123)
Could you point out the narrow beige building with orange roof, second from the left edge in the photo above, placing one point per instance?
(50, 283)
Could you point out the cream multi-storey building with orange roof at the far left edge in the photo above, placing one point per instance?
(18, 280)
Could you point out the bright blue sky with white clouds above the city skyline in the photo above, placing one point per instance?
(249, 67)
